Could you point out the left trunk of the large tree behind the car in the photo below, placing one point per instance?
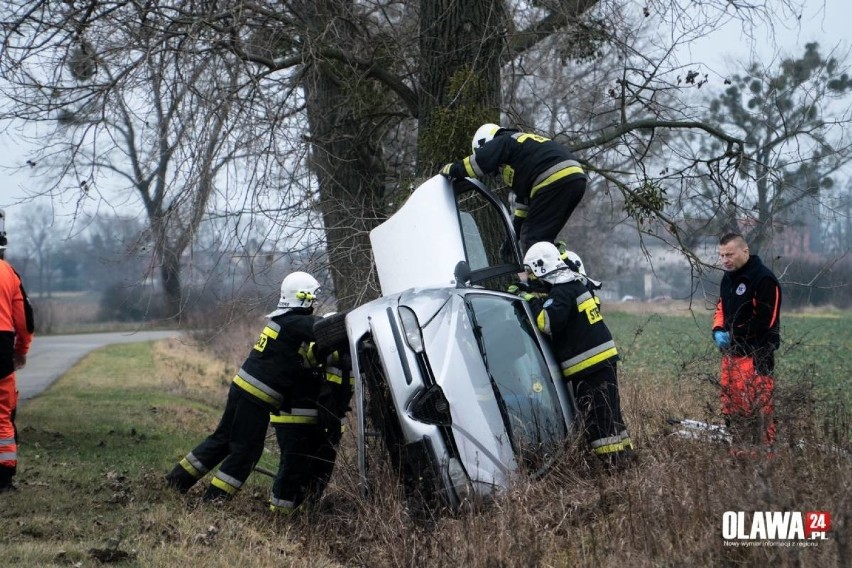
(344, 156)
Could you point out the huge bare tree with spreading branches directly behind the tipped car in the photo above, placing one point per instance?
(352, 80)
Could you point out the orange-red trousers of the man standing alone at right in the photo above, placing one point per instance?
(747, 400)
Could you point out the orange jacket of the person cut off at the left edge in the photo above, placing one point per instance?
(16, 319)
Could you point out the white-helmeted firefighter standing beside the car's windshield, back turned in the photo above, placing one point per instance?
(570, 315)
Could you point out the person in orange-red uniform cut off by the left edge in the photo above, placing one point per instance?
(16, 332)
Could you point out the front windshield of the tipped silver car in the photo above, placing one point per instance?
(519, 377)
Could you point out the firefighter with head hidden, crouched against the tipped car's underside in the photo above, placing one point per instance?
(309, 434)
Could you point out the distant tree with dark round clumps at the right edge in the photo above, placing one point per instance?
(793, 121)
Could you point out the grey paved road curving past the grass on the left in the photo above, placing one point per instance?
(52, 356)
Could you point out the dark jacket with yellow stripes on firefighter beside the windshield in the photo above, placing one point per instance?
(571, 316)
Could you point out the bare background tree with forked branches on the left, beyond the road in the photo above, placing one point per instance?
(156, 111)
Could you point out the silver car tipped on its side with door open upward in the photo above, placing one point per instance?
(453, 374)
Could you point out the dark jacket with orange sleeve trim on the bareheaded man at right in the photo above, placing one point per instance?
(749, 307)
